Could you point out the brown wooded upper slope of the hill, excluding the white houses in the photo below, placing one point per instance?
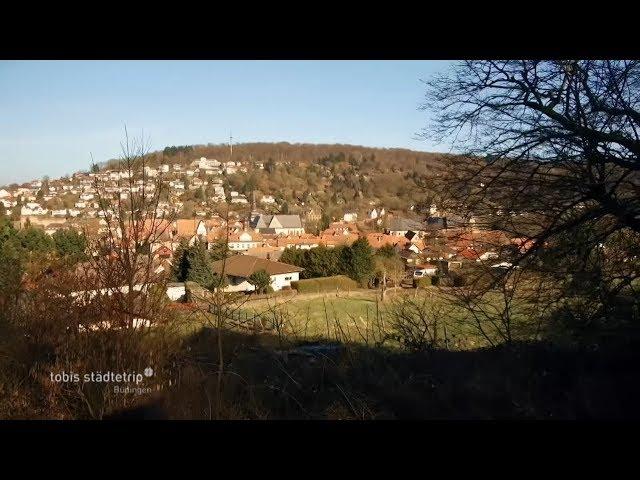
(328, 180)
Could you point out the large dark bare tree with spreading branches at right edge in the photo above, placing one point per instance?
(549, 154)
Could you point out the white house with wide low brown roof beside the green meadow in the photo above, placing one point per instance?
(239, 268)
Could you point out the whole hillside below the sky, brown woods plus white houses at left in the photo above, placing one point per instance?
(320, 182)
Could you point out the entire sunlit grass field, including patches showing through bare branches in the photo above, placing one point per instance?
(359, 316)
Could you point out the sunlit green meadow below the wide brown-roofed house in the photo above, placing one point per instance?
(361, 317)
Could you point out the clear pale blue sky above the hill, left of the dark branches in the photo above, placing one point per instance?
(55, 115)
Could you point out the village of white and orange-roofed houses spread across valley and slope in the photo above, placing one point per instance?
(429, 246)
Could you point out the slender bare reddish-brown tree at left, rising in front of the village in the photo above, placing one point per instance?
(123, 258)
